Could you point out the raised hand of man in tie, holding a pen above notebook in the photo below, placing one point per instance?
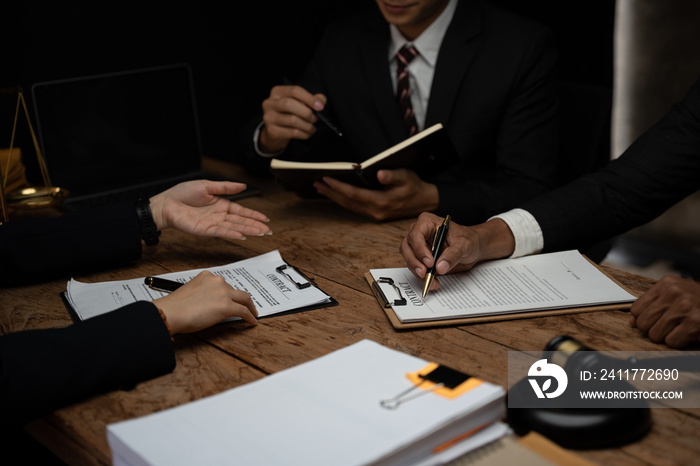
(288, 113)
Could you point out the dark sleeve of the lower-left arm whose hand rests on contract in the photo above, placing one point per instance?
(43, 370)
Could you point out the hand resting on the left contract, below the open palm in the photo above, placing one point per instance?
(204, 301)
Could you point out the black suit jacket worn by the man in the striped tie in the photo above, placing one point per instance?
(493, 89)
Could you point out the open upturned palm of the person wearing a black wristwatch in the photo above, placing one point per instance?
(196, 207)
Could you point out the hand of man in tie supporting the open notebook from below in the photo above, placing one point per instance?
(404, 195)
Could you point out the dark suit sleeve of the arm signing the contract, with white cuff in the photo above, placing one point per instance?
(658, 170)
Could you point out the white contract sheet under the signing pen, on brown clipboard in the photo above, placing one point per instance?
(540, 282)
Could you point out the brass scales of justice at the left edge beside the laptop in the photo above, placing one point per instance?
(31, 197)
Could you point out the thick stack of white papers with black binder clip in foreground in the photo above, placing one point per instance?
(323, 412)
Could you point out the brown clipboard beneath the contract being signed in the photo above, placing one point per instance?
(397, 324)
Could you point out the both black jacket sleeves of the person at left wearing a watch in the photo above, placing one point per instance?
(42, 370)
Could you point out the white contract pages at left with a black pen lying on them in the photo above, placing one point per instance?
(272, 291)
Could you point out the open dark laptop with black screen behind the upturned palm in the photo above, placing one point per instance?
(115, 137)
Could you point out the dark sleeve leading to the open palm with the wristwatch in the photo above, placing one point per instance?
(81, 241)
